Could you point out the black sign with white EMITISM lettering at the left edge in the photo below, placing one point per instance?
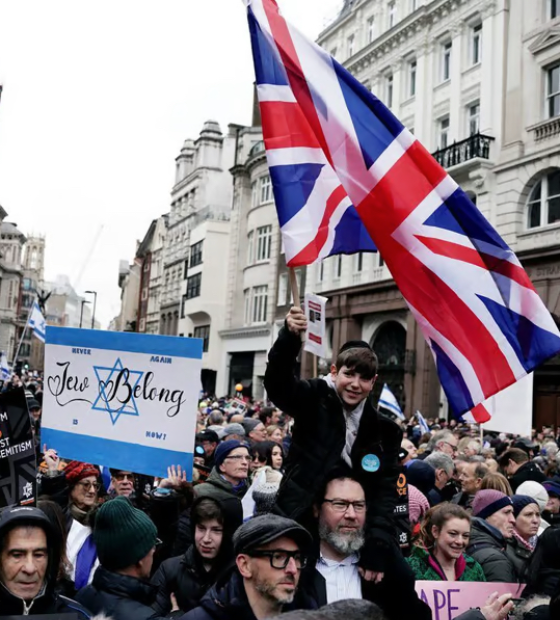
(18, 467)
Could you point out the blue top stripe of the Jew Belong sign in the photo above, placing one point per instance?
(172, 346)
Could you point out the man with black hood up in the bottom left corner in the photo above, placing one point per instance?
(29, 566)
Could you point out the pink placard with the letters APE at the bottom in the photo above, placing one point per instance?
(449, 599)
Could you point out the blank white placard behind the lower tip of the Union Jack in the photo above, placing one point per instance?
(512, 408)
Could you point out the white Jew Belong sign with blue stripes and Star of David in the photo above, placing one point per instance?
(122, 400)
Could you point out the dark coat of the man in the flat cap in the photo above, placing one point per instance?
(227, 600)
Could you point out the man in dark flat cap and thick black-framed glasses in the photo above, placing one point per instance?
(271, 552)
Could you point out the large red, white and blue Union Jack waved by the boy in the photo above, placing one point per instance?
(332, 144)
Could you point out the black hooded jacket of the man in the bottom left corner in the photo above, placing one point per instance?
(49, 601)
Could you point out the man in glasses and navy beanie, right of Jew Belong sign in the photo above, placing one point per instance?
(229, 475)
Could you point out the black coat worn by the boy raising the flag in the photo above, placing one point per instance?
(318, 439)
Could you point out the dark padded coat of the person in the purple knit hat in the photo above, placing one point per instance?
(488, 547)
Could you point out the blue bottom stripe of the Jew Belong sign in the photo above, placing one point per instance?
(117, 454)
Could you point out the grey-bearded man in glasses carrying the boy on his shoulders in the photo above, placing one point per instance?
(341, 523)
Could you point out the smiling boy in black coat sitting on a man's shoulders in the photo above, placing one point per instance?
(335, 425)
